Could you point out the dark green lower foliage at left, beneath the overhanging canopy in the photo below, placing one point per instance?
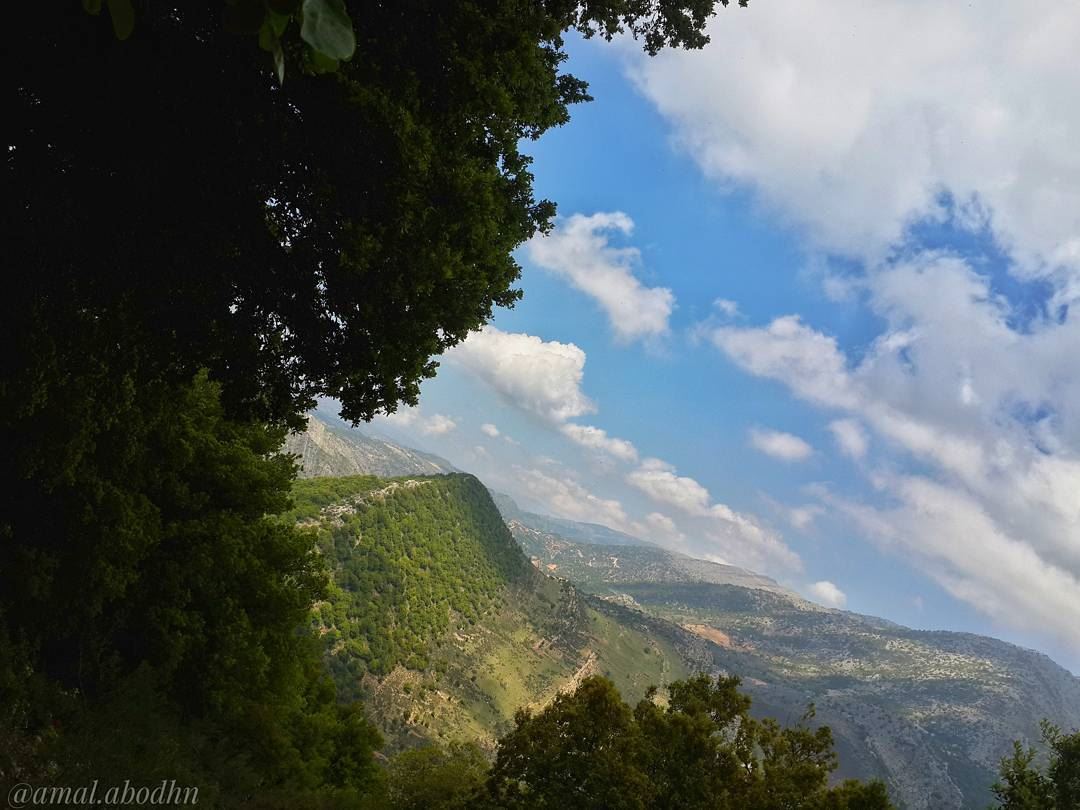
(146, 590)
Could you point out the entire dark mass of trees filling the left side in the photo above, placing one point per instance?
(197, 250)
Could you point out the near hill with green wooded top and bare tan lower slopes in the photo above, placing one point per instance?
(438, 622)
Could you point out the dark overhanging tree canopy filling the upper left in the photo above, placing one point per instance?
(329, 236)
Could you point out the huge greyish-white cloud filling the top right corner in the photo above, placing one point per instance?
(856, 131)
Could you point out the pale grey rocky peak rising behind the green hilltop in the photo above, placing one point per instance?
(330, 449)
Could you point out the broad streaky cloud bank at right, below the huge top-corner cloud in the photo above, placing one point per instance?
(989, 411)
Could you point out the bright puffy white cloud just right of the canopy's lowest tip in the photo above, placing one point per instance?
(543, 377)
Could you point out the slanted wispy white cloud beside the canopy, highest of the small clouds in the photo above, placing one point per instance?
(579, 251)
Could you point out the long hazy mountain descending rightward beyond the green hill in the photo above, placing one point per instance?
(929, 712)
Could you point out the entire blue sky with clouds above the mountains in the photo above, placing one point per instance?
(808, 308)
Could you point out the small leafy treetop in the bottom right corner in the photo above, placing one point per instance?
(1024, 786)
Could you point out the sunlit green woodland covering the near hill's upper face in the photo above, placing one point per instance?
(407, 559)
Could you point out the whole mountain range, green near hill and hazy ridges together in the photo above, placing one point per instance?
(929, 712)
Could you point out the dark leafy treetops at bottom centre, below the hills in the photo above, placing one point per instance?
(700, 751)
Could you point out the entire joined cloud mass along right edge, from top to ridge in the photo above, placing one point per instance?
(898, 113)
